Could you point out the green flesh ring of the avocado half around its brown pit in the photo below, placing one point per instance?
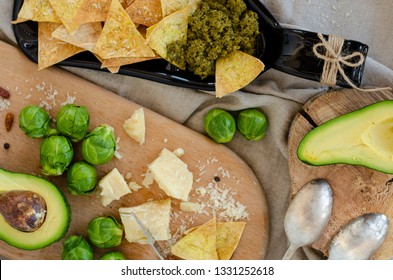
(57, 218)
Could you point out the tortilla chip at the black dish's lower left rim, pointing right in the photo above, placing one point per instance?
(52, 50)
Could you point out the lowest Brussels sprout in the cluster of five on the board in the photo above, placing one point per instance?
(82, 178)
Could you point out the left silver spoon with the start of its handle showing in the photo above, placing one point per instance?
(308, 215)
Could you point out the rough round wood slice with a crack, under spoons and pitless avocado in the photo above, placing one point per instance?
(357, 190)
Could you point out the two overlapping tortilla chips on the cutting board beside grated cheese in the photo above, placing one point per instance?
(210, 241)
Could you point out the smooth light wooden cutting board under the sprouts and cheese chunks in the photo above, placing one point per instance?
(209, 162)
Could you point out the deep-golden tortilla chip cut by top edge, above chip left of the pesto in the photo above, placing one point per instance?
(145, 12)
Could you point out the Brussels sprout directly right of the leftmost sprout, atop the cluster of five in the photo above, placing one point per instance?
(73, 122)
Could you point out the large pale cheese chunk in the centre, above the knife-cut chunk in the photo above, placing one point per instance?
(172, 175)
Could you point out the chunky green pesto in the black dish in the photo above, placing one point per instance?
(216, 28)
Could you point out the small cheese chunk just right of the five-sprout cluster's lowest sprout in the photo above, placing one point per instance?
(113, 186)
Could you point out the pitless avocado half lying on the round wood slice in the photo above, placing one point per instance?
(363, 137)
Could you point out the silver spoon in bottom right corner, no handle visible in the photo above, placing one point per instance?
(360, 238)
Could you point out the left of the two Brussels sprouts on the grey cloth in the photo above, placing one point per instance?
(220, 125)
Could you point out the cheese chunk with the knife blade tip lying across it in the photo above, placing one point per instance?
(155, 215)
